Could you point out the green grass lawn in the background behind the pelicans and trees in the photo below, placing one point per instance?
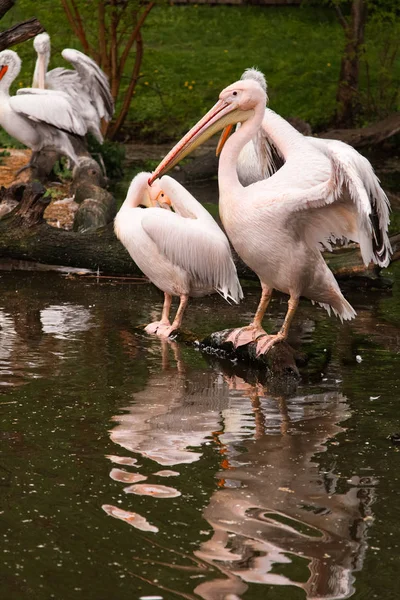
(192, 52)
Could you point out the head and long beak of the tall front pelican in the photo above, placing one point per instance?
(237, 103)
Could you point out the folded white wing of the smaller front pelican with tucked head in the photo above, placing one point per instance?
(197, 249)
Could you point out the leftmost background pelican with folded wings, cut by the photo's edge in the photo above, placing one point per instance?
(37, 118)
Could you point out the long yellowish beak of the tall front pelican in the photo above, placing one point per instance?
(220, 115)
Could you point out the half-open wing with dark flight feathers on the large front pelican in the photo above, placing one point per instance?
(349, 205)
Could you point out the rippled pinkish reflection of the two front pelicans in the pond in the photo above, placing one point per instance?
(275, 506)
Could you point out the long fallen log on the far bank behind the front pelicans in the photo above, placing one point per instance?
(25, 235)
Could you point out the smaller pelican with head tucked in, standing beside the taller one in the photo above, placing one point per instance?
(184, 253)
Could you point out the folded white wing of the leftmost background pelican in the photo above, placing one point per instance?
(48, 106)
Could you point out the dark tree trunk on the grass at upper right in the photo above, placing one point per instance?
(349, 73)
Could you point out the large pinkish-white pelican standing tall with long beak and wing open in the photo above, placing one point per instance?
(279, 225)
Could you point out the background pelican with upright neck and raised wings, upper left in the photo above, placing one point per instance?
(87, 85)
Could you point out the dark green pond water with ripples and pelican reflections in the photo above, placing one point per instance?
(272, 495)
